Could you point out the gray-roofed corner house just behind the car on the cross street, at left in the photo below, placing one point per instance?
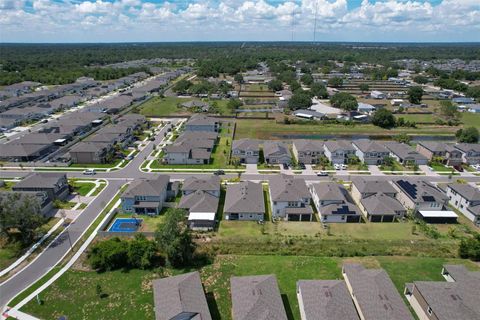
(91, 152)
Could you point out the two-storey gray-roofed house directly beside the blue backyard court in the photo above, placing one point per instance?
(146, 196)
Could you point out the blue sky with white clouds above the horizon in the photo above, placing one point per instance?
(233, 20)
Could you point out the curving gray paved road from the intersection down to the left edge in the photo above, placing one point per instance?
(57, 249)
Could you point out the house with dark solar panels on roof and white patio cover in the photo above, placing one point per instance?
(427, 201)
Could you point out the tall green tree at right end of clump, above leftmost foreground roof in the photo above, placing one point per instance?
(174, 239)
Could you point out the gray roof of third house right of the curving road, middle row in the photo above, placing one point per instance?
(244, 197)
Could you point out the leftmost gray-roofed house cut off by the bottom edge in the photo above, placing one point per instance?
(180, 297)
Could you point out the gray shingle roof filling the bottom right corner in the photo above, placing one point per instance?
(453, 300)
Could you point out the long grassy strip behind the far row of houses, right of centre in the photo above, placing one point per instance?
(271, 129)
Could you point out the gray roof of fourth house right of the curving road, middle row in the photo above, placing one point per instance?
(287, 188)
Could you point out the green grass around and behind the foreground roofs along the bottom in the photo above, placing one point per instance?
(128, 294)
